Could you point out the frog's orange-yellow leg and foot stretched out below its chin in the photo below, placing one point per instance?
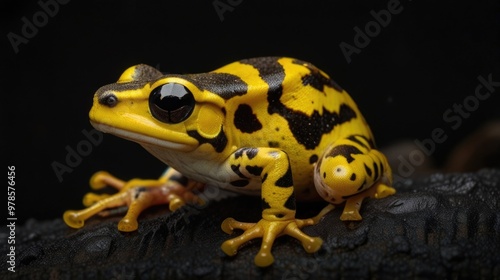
(138, 194)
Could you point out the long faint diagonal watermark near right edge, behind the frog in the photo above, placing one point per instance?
(453, 117)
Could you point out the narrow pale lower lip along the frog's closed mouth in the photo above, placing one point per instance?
(140, 138)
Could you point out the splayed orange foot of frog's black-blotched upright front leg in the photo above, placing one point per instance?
(269, 231)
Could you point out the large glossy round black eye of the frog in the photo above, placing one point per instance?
(171, 103)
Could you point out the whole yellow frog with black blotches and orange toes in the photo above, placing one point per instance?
(275, 127)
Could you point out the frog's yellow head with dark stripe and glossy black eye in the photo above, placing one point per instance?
(156, 110)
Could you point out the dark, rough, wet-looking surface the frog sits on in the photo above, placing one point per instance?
(440, 226)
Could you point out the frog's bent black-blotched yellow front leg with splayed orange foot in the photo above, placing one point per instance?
(273, 168)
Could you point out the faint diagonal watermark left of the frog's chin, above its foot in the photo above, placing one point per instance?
(74, 156)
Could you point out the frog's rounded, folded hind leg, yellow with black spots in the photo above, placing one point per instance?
(351, 170)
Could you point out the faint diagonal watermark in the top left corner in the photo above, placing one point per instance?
(31, 26)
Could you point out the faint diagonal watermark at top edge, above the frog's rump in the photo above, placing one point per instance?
(362, 37)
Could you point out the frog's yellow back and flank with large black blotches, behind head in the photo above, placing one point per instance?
(288, 104)
